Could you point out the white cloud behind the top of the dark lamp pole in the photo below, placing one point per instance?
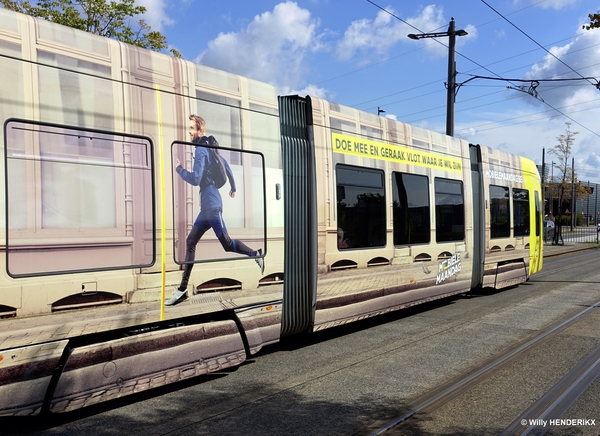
(376, 37)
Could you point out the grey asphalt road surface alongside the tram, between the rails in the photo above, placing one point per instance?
(349, 380)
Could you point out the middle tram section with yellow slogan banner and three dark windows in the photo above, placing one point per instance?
(393, 212)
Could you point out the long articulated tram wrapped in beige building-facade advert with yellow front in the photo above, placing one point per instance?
(347, 214)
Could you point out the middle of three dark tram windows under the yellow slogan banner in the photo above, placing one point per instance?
(412, 217)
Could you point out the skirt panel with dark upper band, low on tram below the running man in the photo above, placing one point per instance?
(114, 369)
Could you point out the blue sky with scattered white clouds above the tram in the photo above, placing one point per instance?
(354, 53)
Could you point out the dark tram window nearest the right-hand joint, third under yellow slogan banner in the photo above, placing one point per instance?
(449, 211)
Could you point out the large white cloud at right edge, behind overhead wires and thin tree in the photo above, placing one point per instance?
(536, 124)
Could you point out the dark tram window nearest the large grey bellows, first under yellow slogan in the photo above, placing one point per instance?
(360, 207)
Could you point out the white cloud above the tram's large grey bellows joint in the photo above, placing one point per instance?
(272, 48)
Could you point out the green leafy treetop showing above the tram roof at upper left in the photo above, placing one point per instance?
(102, 17)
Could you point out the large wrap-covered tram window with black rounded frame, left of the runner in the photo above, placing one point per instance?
(84, 196)
